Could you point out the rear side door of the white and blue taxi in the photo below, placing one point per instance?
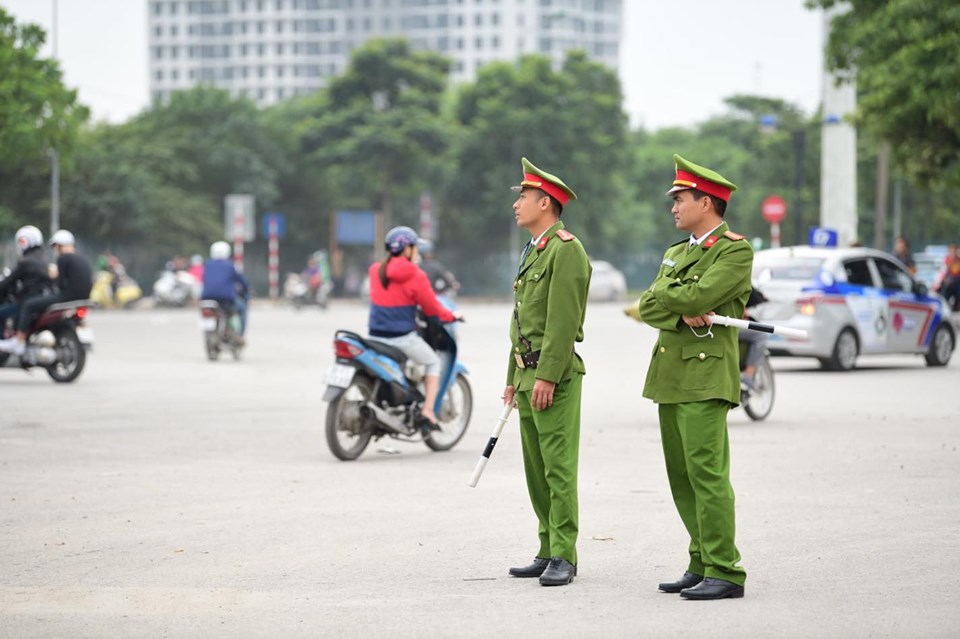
(867, 303)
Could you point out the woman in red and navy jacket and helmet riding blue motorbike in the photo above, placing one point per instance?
(397, 288)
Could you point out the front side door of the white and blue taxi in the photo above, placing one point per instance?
(909, 314)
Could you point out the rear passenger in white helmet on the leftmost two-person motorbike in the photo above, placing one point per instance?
(74, 279)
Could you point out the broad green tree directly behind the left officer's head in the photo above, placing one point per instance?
(568, 121)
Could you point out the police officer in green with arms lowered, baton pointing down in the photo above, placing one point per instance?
(544, 373)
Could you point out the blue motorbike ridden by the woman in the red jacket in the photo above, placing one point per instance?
(375, 391)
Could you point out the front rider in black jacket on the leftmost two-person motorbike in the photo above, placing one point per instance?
(28, 279)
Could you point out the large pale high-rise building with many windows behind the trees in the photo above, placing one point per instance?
(268, 50)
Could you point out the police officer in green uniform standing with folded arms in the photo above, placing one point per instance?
(694, 374)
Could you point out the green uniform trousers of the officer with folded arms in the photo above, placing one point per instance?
(697, 452)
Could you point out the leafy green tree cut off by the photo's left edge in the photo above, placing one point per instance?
(37, 113)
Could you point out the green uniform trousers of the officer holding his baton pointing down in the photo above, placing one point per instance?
(551, 452)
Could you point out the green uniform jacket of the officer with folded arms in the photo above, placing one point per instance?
(714, 276)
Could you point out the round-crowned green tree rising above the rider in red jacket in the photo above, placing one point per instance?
(377, 128)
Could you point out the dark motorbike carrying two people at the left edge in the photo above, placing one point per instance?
(58, 341)
